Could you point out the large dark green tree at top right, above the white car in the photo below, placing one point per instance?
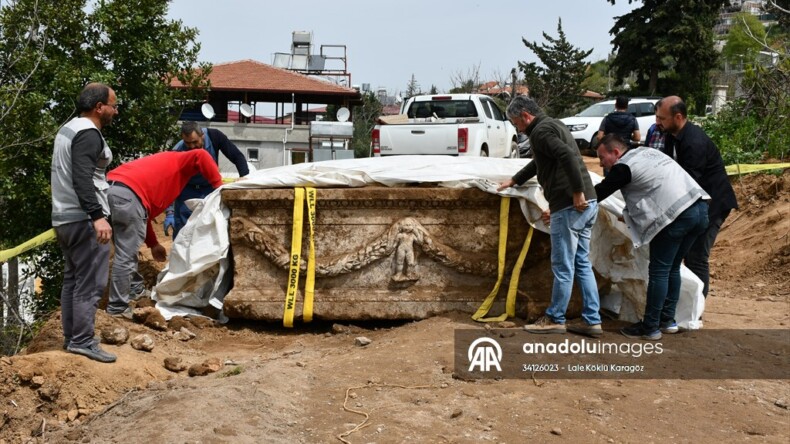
(673, 38)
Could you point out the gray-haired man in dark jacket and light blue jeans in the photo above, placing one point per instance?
(572, 212)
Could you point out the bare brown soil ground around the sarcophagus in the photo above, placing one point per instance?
(314, 384)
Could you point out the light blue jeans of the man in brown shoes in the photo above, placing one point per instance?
(570, 254)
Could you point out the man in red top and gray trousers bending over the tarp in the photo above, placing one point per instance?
(140, 190)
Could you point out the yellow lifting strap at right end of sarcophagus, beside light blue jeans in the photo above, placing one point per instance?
(510, 303)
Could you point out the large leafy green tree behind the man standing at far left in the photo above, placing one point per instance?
(48, 52)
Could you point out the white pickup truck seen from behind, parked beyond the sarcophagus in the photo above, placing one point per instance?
(453, 124)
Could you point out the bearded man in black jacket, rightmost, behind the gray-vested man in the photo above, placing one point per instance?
(698, 155)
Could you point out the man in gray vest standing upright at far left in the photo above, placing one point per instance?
(79, 215)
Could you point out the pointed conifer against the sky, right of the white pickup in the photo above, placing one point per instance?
(557, 84)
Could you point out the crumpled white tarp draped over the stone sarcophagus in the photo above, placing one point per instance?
(196, 274)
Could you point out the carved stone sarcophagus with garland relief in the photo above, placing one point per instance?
(382, 253)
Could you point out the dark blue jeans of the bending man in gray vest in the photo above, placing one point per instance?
(666, 254)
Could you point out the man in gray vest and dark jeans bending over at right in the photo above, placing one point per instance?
(664, 207)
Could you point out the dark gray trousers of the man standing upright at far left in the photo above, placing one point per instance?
(84, 280)
